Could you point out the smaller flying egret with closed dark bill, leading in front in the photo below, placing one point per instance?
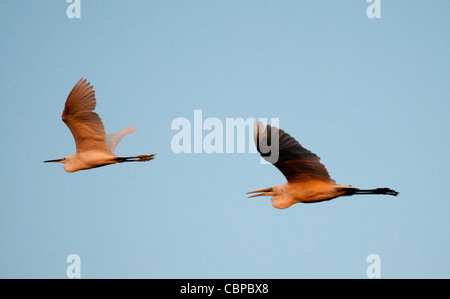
(94, 147)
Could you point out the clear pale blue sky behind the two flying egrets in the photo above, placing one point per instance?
(370, 96)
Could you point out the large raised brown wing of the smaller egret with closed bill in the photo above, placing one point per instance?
(86, 126)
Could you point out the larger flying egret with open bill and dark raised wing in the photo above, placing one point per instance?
(308, 180)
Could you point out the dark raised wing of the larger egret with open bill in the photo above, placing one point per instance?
(296, 162)
